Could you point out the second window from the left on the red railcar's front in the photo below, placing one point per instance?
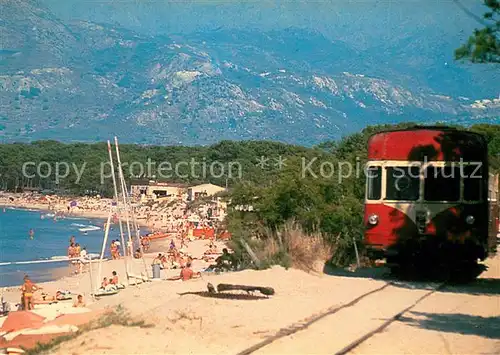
(403, 183)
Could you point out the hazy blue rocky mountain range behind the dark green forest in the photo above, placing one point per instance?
(81, 80)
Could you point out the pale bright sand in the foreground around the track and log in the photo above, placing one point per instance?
(186, 320)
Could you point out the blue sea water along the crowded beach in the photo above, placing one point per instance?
(51, 238)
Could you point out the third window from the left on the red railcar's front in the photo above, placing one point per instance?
(442, 183)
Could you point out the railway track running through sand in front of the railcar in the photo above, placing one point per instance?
(333, 328)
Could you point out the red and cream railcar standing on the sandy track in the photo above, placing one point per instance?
(428, 195)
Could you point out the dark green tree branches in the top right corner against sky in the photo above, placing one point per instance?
(484, 45)
